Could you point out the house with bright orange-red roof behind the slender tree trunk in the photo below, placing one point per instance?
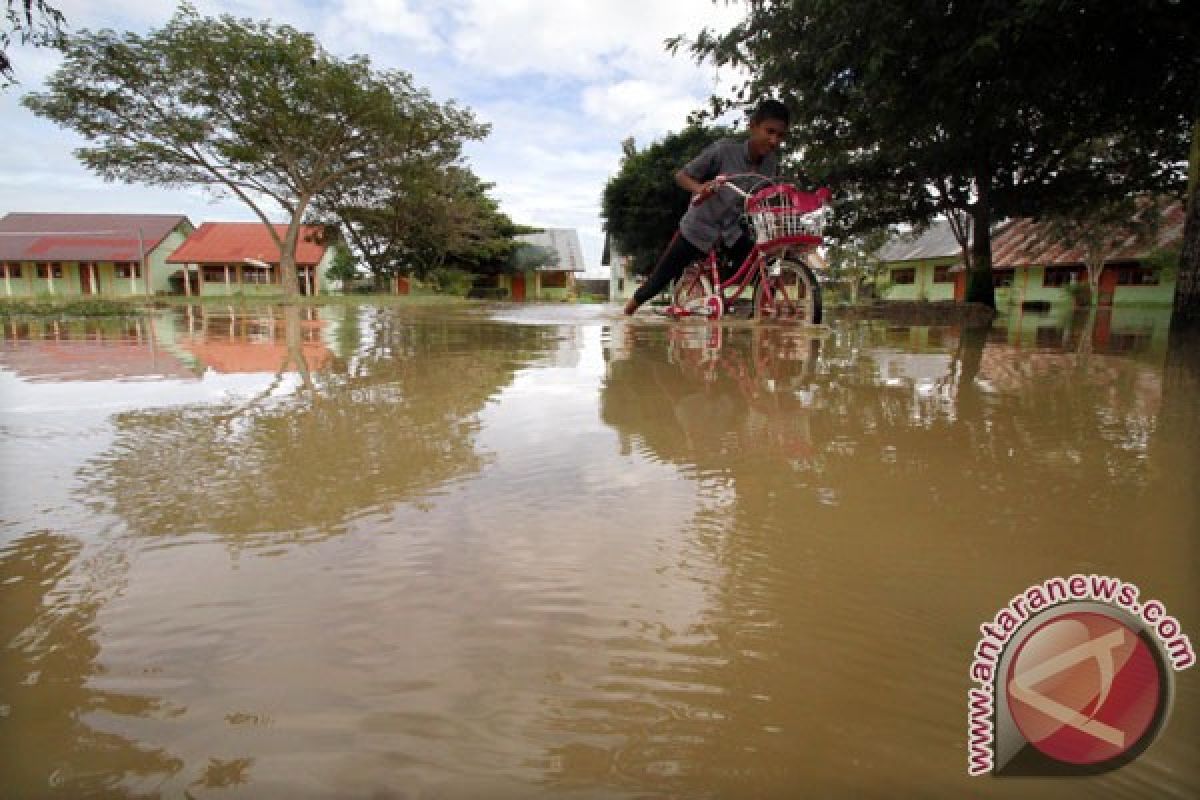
(229, 258)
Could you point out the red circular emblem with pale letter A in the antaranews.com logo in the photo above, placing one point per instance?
(1084, 688)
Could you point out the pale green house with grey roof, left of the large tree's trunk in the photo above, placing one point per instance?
(922, 267)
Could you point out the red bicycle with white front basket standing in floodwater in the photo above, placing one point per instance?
(788, 224)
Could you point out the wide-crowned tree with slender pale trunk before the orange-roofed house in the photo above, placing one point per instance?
(245, 109)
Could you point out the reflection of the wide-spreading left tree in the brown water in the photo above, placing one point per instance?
(392, 419)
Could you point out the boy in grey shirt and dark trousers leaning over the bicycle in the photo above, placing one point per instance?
(717, 218)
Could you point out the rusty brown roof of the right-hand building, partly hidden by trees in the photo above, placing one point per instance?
(1024, 243)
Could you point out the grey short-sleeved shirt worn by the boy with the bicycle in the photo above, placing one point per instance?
(718, 216)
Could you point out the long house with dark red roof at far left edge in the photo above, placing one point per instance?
(79, 255)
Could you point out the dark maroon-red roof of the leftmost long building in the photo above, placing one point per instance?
(83, 237)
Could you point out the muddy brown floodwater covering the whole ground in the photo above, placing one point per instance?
(515, 552)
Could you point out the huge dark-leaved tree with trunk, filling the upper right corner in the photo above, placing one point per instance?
(983, 110)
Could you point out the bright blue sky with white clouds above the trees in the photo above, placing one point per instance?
(561, 82)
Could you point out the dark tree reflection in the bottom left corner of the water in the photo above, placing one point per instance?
(47, 676)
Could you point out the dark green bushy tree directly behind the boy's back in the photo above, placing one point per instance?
(641, 203)
